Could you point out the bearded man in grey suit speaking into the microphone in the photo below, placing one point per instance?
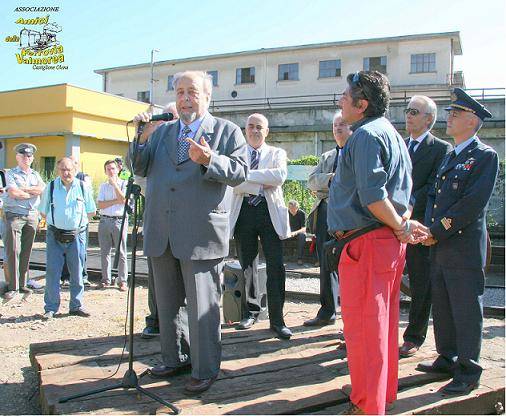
(188, 165)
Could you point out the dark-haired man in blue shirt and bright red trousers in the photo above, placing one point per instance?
(371, 186)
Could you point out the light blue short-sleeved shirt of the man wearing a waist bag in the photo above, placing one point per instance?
(71, 208)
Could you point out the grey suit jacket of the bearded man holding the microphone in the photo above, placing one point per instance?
(186, 204)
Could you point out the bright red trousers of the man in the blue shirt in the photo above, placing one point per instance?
(370, 272)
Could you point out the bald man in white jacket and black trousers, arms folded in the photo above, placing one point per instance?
(259, 211)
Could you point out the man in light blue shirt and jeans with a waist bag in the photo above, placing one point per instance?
(67, 204)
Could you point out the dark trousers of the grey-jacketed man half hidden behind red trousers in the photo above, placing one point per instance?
(329, 284)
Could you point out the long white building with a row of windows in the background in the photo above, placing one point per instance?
(304, 74)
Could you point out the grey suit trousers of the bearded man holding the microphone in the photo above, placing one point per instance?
(191, 333)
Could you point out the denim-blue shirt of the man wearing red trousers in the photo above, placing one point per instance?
(374, 164)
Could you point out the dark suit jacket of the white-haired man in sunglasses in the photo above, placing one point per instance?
(426, 161)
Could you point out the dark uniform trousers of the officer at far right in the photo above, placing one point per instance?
(457, 297)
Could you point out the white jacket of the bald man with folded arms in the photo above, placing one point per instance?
(271, 171)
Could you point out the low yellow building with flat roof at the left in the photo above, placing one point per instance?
(64, 120)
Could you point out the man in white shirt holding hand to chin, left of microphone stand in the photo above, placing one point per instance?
(111, 200)
